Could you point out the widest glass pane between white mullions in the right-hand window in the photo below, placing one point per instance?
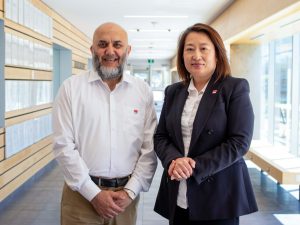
(282, 82)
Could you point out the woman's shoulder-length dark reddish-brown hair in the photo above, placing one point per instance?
(222, 68)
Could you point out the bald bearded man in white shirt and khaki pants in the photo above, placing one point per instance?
(103, 124)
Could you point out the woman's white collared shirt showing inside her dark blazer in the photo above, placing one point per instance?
(187, 120)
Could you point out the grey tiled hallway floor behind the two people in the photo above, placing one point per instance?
(39, 202)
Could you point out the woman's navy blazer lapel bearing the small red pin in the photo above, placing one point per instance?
(204, 110)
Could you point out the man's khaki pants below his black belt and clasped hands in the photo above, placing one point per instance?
(76, 210)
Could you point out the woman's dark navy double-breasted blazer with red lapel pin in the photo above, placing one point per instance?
(220, 186)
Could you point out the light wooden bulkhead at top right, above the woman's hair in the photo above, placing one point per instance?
(250, 16)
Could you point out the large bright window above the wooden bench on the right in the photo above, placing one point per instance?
(280, 90)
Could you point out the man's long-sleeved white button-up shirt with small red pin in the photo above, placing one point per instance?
(104, 133)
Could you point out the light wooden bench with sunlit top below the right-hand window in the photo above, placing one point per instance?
(277, 162)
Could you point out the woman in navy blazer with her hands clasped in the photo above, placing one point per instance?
(205, 129)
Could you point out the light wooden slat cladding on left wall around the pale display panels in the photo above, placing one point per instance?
(17, 169)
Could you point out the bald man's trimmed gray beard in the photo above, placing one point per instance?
(108, 73)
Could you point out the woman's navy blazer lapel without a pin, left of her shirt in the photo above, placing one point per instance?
(180, 96)
